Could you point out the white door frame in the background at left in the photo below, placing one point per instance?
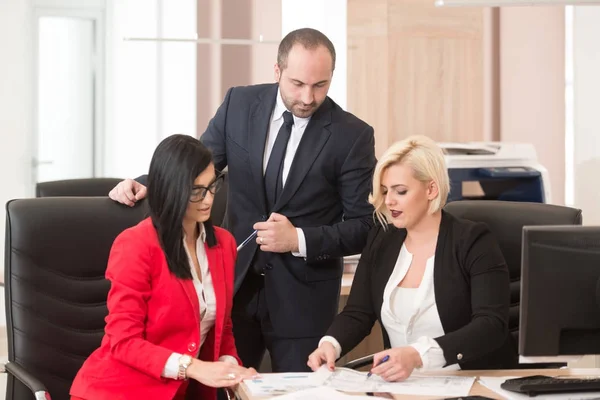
(91, 10)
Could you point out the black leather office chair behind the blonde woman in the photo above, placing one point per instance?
(506, 220)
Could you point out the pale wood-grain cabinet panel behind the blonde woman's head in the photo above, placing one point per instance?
(417, 69)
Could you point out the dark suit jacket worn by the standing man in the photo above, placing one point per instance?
(326, 194)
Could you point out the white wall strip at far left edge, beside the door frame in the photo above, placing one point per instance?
(16, 106)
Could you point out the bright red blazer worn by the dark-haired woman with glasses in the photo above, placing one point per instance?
(152, 314)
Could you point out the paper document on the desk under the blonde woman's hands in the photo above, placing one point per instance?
(349, 380)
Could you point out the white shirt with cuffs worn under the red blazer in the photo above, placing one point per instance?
(207, 300)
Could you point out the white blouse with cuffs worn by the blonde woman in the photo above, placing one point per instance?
(410, 316)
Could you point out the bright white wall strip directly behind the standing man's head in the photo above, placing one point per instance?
(328, 16)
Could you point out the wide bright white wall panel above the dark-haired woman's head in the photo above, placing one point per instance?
(150, 86)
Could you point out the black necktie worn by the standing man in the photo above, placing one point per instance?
(273, 177)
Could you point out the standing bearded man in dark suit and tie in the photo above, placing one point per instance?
(300, 171)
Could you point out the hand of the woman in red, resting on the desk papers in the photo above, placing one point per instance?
(218, 374)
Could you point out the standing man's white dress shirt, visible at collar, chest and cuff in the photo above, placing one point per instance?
(297, 132)
